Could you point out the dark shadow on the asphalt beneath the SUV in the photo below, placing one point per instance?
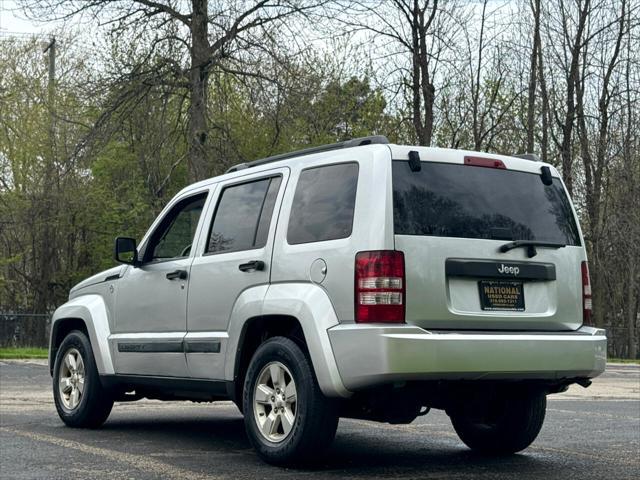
(376, 451)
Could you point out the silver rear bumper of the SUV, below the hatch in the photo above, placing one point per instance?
(370, 355)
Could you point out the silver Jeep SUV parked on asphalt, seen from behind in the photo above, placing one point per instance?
(359, 279)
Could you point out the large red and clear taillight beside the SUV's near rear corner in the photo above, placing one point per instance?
(379, 287)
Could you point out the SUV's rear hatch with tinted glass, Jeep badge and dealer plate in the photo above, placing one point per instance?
(451, 219)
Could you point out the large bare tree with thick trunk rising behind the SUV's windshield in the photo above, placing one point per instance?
(215, 36)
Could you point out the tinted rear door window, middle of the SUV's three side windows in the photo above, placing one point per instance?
(243, 216)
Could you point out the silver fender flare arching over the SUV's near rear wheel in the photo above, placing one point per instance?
(308, 303)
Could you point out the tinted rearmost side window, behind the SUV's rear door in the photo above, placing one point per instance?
(323, 204)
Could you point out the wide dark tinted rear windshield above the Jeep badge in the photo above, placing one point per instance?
(451, 200)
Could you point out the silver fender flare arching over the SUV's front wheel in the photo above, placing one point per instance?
(92, 310)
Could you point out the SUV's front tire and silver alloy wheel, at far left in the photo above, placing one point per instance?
(80, 399)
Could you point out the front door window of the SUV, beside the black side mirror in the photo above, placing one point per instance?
(174, 236)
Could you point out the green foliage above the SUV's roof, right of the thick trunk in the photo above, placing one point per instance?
(252, 120)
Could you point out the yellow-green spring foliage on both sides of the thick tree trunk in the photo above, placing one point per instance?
(115, 152)
